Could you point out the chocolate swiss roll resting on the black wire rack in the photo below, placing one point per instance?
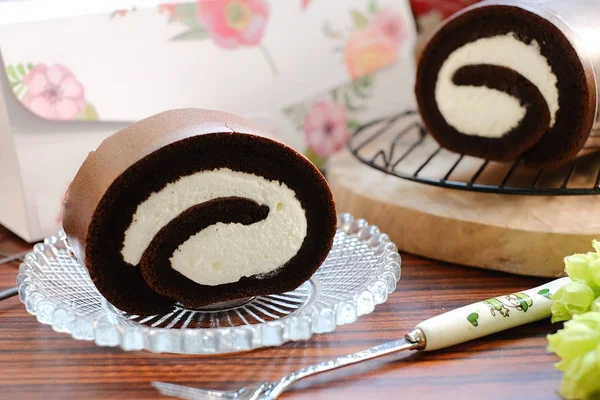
(508, 79)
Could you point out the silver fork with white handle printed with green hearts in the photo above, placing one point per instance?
(453, 327)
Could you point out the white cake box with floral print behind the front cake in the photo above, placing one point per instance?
(71, 81)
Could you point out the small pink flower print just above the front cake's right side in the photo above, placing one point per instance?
(326, 127)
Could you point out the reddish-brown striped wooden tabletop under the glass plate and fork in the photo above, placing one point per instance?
(40, 363)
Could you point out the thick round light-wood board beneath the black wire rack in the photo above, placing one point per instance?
(526, 235)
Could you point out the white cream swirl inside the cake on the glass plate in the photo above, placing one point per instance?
(222, 253)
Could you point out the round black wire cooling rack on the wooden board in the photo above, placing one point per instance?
(401, 146)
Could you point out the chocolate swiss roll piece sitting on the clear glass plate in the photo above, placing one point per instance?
(196, 207)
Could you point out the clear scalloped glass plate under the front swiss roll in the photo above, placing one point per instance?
(362, 268)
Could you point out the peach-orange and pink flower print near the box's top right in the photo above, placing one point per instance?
(375, 42)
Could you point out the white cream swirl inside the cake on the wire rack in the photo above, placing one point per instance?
(481, 111)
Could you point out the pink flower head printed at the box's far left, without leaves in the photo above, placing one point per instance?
(53, 93)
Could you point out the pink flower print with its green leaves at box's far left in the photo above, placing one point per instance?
(50, 91)
